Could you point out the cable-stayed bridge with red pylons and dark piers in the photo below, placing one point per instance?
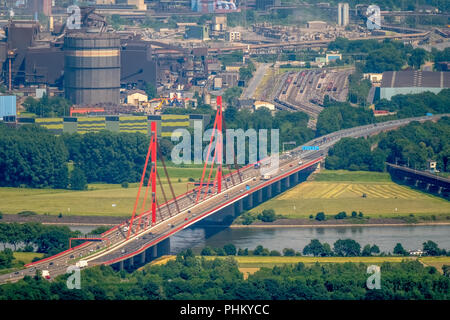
(146, 234)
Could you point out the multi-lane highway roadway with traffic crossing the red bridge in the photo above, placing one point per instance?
(236, 186)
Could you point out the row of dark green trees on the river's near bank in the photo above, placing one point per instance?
(341, 248)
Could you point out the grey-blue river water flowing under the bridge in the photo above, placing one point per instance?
(386, 237)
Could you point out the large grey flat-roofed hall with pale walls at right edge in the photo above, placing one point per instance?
(410, 82)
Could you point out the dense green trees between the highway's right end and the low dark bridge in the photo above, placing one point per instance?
(412, 145)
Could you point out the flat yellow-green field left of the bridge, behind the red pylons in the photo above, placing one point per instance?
(99, 199)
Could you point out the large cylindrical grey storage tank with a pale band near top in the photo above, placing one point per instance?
(92, 68)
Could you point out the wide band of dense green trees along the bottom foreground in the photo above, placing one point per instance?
(189, 277)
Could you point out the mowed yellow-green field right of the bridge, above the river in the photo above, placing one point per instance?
(335, 191)
